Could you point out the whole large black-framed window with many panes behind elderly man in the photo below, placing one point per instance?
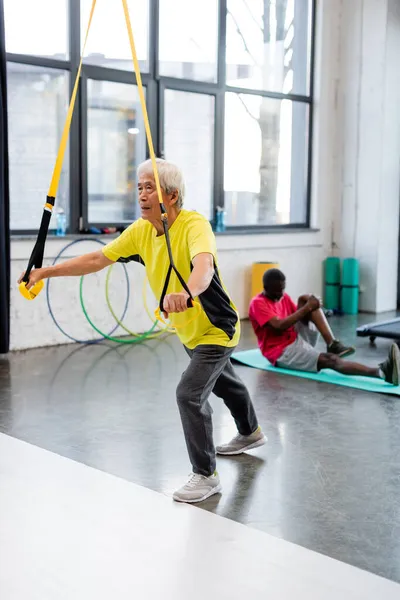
(229, 91)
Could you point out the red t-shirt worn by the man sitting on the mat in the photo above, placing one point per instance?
(272, 343)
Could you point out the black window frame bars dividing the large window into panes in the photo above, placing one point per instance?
(156, 85)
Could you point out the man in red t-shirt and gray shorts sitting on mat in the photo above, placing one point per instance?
(287, 334)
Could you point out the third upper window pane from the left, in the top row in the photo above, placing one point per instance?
(189, 39)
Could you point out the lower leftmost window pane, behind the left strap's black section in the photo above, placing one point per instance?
(37, 107)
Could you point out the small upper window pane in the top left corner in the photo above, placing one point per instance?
(38, 27)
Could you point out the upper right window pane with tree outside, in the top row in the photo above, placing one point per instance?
(268, 45)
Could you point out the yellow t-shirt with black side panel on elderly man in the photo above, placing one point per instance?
(190, 234)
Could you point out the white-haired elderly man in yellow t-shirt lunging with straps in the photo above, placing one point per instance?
(209, 337)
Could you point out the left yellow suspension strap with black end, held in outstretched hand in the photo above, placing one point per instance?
(36, 259)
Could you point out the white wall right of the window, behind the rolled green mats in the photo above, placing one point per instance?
(366, 221)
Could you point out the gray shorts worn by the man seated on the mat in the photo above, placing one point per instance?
(302, 354)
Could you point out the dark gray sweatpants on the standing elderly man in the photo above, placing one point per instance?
(210, 370)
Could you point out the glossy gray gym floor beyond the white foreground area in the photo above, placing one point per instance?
(328, 479)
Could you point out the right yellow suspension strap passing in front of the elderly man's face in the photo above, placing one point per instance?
(164, 216)
